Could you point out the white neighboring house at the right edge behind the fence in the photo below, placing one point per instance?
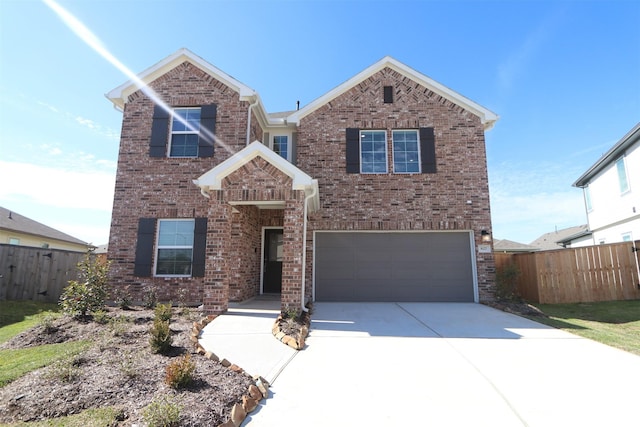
(612, 192)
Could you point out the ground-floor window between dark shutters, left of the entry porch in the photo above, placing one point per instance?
(174, 247)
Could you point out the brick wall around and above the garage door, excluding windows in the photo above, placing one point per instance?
(399, 201)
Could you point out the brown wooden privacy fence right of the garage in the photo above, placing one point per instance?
(586, 274)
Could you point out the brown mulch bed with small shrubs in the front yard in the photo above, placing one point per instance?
(119, 370)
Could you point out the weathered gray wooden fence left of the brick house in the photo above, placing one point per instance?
(35, 273)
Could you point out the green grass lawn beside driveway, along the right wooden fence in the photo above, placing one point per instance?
(615, 323)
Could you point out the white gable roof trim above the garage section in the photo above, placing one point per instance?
(487, 117)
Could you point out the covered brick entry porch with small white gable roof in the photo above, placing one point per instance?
(256, 229)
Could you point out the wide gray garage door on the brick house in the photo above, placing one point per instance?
(364, 266)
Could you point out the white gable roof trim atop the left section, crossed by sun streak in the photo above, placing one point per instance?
(120, 94)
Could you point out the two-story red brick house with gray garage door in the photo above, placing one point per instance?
(375, 191)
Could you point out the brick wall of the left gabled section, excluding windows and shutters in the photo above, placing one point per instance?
(162, 187)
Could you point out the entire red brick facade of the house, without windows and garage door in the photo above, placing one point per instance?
(454, 198)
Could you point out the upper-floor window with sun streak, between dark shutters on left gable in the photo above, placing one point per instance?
(185, 128)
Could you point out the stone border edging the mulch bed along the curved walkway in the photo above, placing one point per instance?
(256, 392)
